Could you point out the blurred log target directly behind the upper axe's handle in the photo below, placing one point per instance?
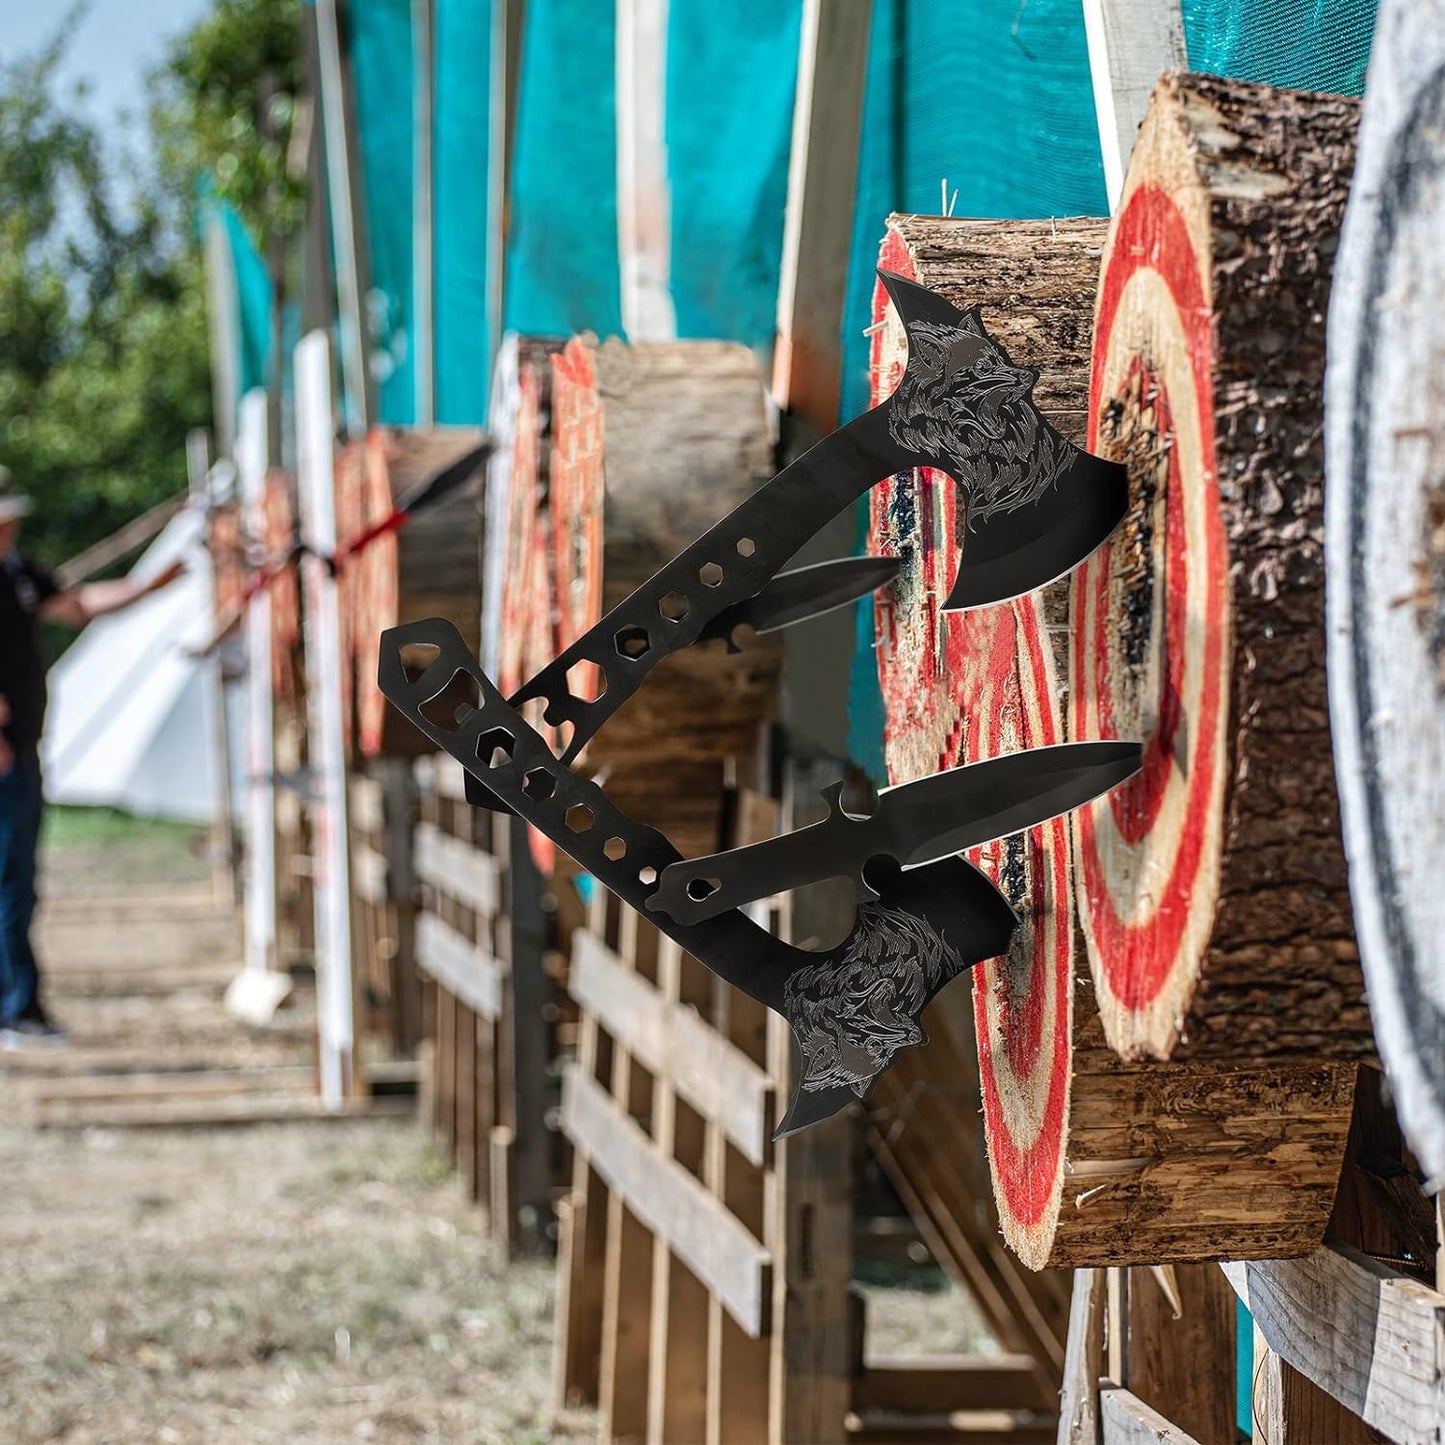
(651, 447)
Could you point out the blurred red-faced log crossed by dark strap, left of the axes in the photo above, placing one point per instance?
(428, 569)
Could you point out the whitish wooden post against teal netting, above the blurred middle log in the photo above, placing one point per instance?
(644, 196)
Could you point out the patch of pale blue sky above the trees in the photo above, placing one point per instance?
(118, 43)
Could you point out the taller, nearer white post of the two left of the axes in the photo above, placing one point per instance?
(326, 726)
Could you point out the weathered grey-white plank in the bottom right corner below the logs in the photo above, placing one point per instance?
(1372, 1339)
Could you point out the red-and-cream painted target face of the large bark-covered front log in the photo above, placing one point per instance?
(1149, 856)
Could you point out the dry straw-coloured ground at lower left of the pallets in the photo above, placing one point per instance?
(300, 1282)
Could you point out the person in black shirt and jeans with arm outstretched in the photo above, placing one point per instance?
(28, 596)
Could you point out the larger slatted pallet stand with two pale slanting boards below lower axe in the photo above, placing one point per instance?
(704, 1271)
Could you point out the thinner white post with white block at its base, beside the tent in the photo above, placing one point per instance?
(252, 450)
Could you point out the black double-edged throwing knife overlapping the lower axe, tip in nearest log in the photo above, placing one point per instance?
(914, 824)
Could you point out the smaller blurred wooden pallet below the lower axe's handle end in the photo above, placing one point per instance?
(483, 1006)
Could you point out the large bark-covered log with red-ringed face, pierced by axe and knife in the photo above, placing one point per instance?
(1213, 887)
